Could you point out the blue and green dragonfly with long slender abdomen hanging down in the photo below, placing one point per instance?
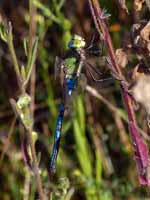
(69, 68)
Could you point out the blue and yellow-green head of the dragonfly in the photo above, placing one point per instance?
(77, 42)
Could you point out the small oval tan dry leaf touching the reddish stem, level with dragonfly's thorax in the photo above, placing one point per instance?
(121, 58)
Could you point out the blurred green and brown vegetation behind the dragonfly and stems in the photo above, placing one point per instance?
(95, 160)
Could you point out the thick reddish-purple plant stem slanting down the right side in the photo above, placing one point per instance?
(140, 148)
